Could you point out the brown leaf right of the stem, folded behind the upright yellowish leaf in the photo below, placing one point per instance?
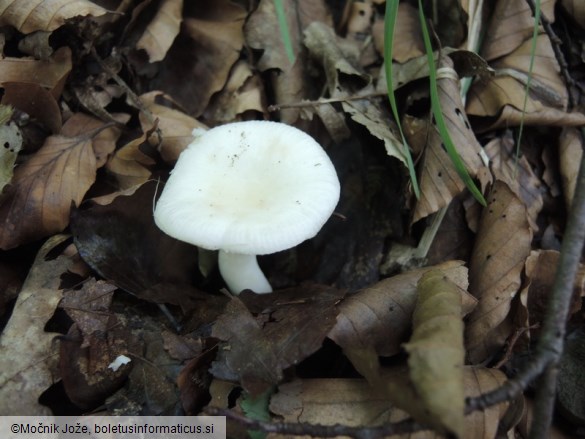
(379, 317)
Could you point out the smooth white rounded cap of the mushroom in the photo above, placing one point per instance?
(252, 187)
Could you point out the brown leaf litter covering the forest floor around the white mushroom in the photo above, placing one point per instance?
(105, 97)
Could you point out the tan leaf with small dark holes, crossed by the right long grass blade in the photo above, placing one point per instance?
(439, 181)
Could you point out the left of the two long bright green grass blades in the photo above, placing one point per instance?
(389, 24)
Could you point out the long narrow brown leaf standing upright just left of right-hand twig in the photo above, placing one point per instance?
(501, 248)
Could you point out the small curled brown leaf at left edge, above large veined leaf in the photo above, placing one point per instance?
(50, 74)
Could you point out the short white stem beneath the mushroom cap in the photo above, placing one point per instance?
(241, 272)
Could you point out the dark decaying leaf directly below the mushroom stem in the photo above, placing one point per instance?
(288, 327)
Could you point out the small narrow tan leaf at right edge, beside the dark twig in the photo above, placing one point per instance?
(570, 153)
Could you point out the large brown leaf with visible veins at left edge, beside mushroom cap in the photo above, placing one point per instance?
(38, 202)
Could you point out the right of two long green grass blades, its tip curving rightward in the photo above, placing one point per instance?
(438, 114)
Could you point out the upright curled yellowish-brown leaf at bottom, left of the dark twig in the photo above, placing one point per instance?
(436, 354)
